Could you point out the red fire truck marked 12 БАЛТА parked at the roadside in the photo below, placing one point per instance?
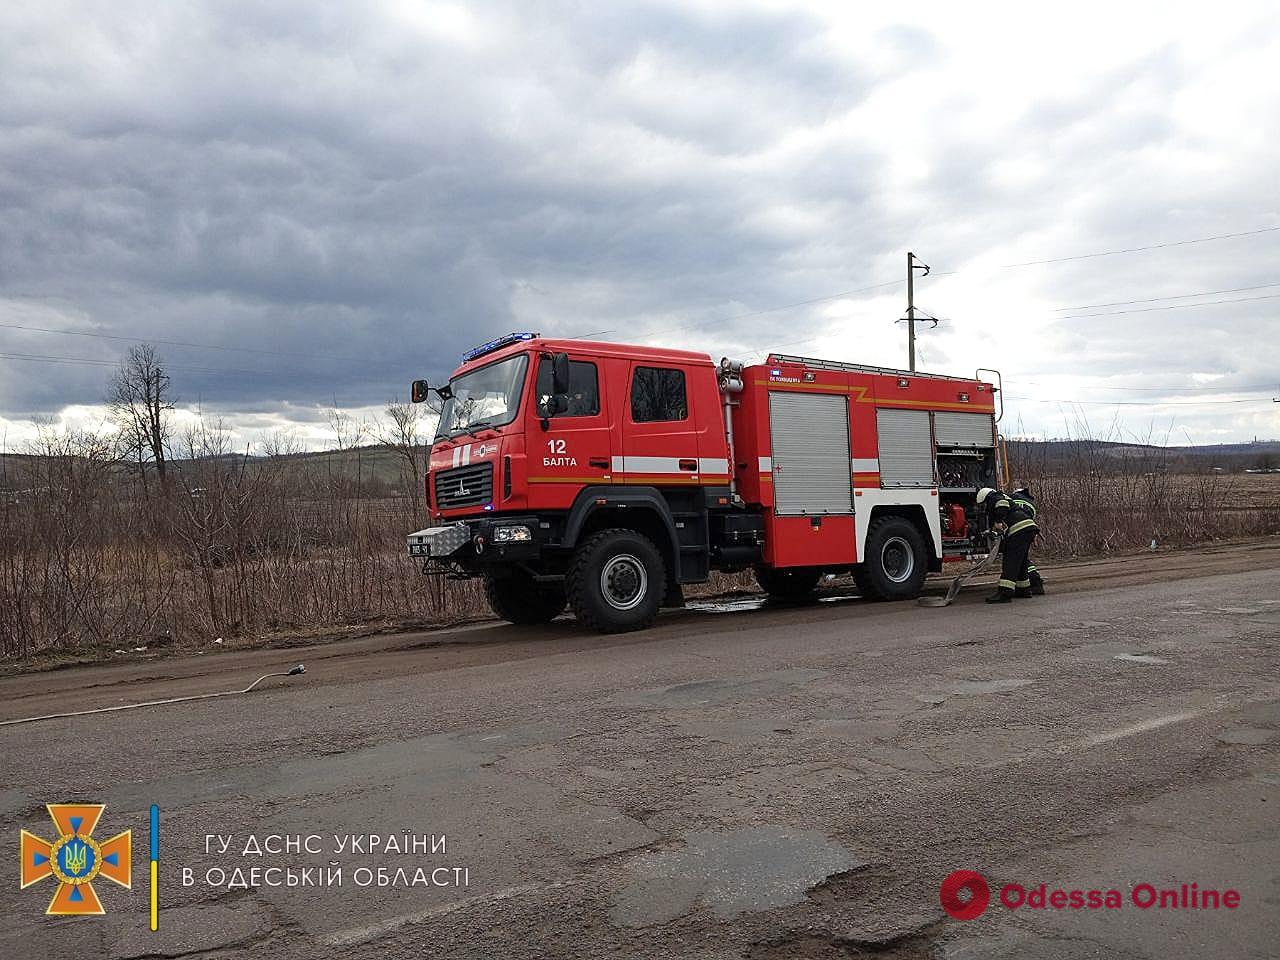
(606, 477)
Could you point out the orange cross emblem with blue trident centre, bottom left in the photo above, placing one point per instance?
(75, 860)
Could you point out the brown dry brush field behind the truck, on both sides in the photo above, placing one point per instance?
(99, 560)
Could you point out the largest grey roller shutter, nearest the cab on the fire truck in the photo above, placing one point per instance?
(810, 435)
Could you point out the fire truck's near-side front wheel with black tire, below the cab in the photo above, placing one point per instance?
(616, 582)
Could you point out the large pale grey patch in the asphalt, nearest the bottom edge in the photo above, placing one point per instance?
(728, 872)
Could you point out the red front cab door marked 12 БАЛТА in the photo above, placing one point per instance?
(577, 449)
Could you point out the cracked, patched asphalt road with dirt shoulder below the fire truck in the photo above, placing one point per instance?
(737, 783)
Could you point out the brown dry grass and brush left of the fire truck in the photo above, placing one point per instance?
(94, 561)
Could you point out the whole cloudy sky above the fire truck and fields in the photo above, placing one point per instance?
(308, 205)
